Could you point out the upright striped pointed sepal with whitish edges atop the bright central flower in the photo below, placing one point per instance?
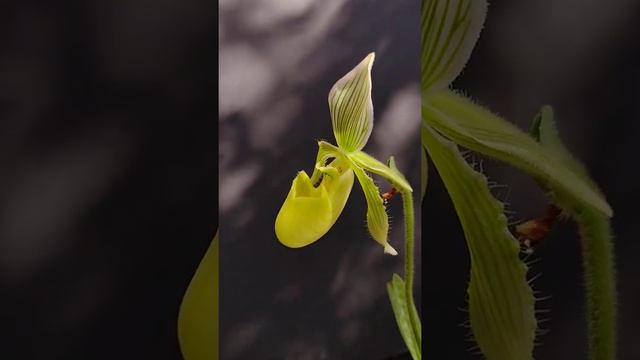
(351, 107)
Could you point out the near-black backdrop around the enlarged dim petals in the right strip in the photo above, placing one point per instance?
(582, 57)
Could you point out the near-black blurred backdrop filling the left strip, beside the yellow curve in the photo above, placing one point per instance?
(108, 173)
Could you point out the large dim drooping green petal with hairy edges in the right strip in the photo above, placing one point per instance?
(501, 303)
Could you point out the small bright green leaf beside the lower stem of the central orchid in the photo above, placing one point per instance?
(396, 290)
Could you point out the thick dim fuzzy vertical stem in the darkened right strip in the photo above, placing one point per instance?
(599, 269)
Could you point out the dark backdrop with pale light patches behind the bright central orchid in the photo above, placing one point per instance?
(278, 61)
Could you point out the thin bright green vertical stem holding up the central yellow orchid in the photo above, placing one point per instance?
(407, 205)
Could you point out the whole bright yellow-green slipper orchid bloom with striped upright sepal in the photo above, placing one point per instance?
(314, 203)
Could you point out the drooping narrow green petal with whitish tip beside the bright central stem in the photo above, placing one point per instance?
(377, 219)
